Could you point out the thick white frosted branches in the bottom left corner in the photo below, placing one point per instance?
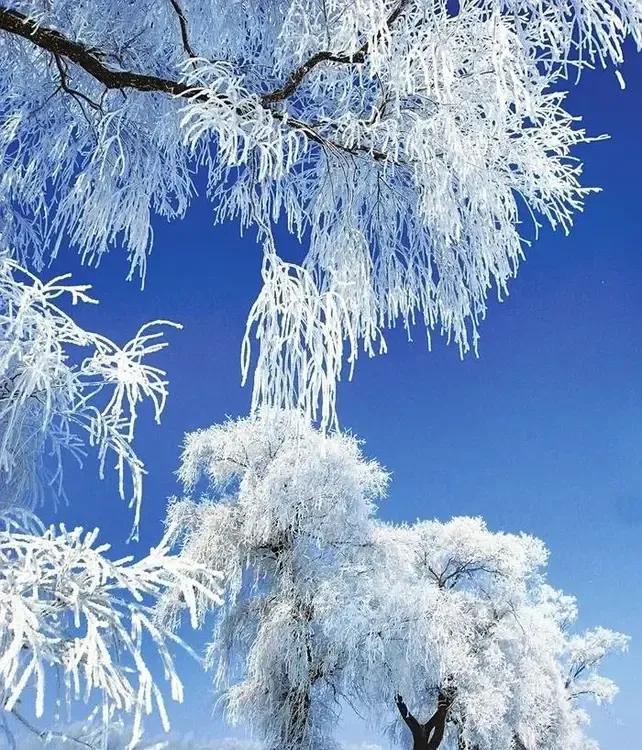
(67, 610)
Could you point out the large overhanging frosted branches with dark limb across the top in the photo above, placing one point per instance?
(404, 141)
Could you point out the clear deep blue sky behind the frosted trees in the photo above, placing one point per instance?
(542, 433)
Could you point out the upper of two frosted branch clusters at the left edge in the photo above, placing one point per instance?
(62, 387)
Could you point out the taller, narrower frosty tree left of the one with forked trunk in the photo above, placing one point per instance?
(287, 510)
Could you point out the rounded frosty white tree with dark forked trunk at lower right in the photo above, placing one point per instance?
(460, 623)
